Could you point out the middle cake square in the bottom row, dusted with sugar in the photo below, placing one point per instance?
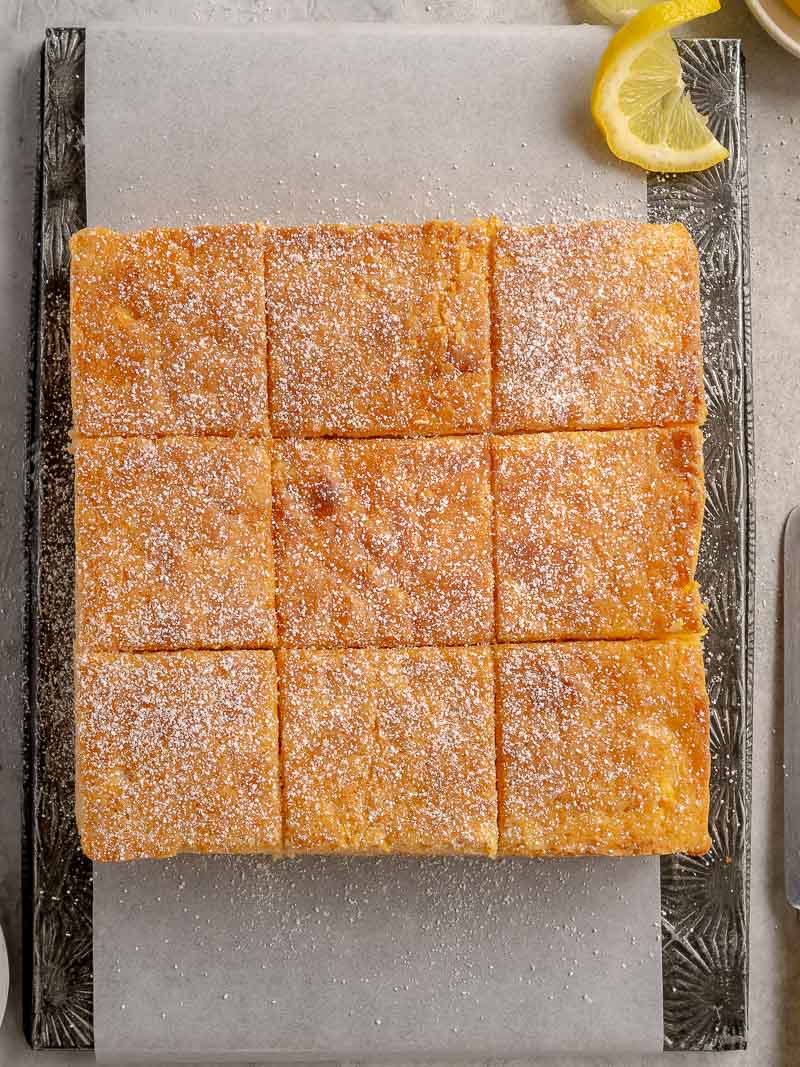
(389, 751)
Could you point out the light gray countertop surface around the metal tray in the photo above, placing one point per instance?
(775, 138)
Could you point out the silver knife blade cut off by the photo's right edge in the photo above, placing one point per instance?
(792, 707)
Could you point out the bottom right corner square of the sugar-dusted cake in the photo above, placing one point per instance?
(603, 749)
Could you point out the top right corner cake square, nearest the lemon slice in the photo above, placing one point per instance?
(597, 326)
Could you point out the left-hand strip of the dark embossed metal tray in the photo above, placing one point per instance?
(57, 878)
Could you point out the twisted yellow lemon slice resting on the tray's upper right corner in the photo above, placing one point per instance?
(639, 100)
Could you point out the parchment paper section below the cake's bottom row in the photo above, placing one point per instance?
(249, 959)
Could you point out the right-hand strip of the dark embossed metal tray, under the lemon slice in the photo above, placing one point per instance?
(706, 900)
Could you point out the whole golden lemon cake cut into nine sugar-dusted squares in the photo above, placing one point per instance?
(386, 540)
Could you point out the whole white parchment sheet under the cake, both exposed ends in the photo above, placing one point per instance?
(247, 959)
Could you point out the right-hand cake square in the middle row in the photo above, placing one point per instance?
(598, 534)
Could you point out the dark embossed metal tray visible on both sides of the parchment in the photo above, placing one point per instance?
(705, 901)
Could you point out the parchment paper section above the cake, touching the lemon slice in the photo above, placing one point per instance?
(319, 123)
